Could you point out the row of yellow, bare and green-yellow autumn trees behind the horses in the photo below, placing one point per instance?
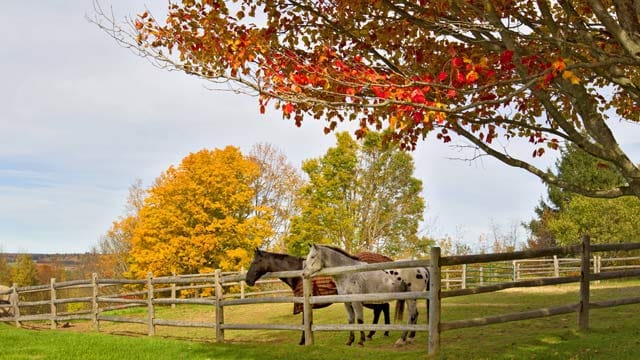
(211, 210)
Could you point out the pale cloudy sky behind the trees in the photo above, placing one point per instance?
(82, 118)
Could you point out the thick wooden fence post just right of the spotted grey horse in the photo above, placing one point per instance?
(434, 301)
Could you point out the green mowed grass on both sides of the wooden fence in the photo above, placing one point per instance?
(614, 333)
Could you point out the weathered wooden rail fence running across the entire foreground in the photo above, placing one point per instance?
(149, 290)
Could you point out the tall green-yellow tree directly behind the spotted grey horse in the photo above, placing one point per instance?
(360, 196)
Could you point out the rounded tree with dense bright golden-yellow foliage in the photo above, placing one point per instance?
(199, 216)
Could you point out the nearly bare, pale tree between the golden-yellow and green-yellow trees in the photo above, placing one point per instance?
(275, 189)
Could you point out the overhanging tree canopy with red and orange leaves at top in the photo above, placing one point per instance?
(544, 72)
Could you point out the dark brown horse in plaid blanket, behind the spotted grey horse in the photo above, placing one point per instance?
(265, 262)
